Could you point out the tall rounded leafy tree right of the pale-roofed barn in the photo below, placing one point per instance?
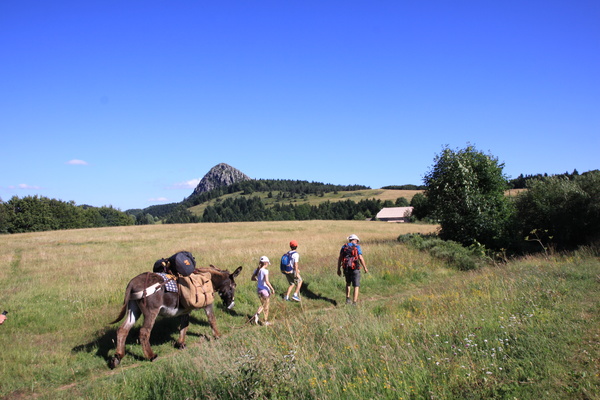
(465, 190)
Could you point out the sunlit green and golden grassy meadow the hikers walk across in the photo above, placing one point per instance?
(527, 329)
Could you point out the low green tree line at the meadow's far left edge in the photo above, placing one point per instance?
(38, 213)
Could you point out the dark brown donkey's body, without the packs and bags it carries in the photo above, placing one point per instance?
(156, 301)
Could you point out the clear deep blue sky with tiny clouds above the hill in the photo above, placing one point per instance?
(130, 103)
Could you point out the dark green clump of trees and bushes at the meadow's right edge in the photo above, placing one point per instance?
(465, 195)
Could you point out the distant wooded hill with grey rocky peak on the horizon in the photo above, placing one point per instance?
(226, 194)
